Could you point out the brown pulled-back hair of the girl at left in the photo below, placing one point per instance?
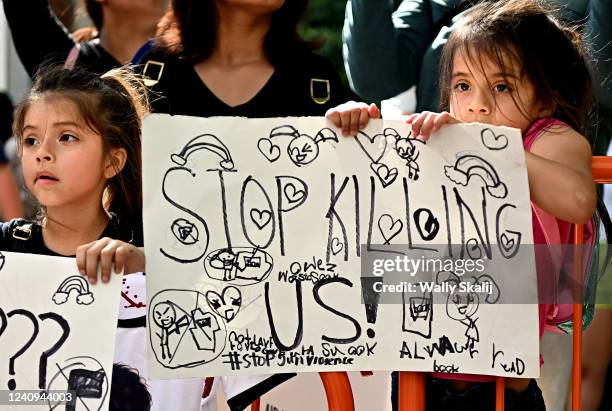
(112, 105)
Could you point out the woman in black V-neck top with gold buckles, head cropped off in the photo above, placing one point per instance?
(239, 58)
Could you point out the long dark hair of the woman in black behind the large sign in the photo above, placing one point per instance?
(189, 29)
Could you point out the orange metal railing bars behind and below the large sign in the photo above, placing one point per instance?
(412, 384)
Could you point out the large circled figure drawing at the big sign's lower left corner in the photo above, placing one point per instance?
(185, 332)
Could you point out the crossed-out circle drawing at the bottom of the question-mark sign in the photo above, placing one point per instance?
(85, 377)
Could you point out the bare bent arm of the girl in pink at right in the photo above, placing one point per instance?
(560, 179)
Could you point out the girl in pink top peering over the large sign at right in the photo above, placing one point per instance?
(513, 64)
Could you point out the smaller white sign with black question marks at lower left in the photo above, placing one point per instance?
(57, 334)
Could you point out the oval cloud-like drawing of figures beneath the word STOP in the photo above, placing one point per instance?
(238, 265)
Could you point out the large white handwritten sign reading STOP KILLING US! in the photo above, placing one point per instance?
(277, 245)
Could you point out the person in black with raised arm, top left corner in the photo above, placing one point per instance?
(123, 27)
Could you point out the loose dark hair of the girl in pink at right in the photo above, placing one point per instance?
(551, 56)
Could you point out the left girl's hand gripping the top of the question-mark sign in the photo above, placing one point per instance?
(107, 252)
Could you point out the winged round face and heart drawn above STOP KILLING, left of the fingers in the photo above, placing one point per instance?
(302, 148)
